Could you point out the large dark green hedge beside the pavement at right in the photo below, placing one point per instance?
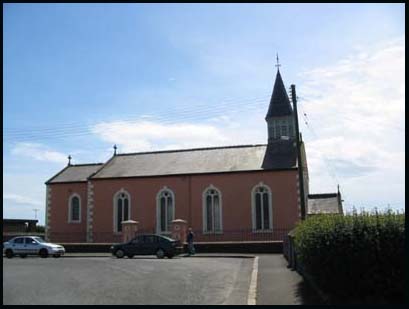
(355, 257)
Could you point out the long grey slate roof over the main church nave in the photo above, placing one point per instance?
(193, 161)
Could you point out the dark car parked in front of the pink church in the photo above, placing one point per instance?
(147, 244)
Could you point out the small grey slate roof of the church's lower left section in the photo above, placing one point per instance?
(75, 173)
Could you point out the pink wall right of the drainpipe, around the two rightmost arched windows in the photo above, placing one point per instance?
(236, 198)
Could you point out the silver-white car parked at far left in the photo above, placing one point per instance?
(31, 245)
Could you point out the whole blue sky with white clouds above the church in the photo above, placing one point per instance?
(78, 78)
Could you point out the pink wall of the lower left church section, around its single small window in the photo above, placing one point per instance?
(60, 229)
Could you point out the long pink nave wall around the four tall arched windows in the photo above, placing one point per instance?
(236, 199)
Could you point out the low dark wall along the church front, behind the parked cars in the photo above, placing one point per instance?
(219, 247)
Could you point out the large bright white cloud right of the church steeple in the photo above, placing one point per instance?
(355, 113)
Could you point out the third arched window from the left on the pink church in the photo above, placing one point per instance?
(165, 210)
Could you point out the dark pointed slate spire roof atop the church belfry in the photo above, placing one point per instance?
(279, 103)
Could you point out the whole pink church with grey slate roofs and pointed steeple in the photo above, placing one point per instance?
(246, 192)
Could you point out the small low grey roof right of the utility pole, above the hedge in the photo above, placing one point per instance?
(328, 203)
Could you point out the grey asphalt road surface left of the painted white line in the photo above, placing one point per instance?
(141, 280)
